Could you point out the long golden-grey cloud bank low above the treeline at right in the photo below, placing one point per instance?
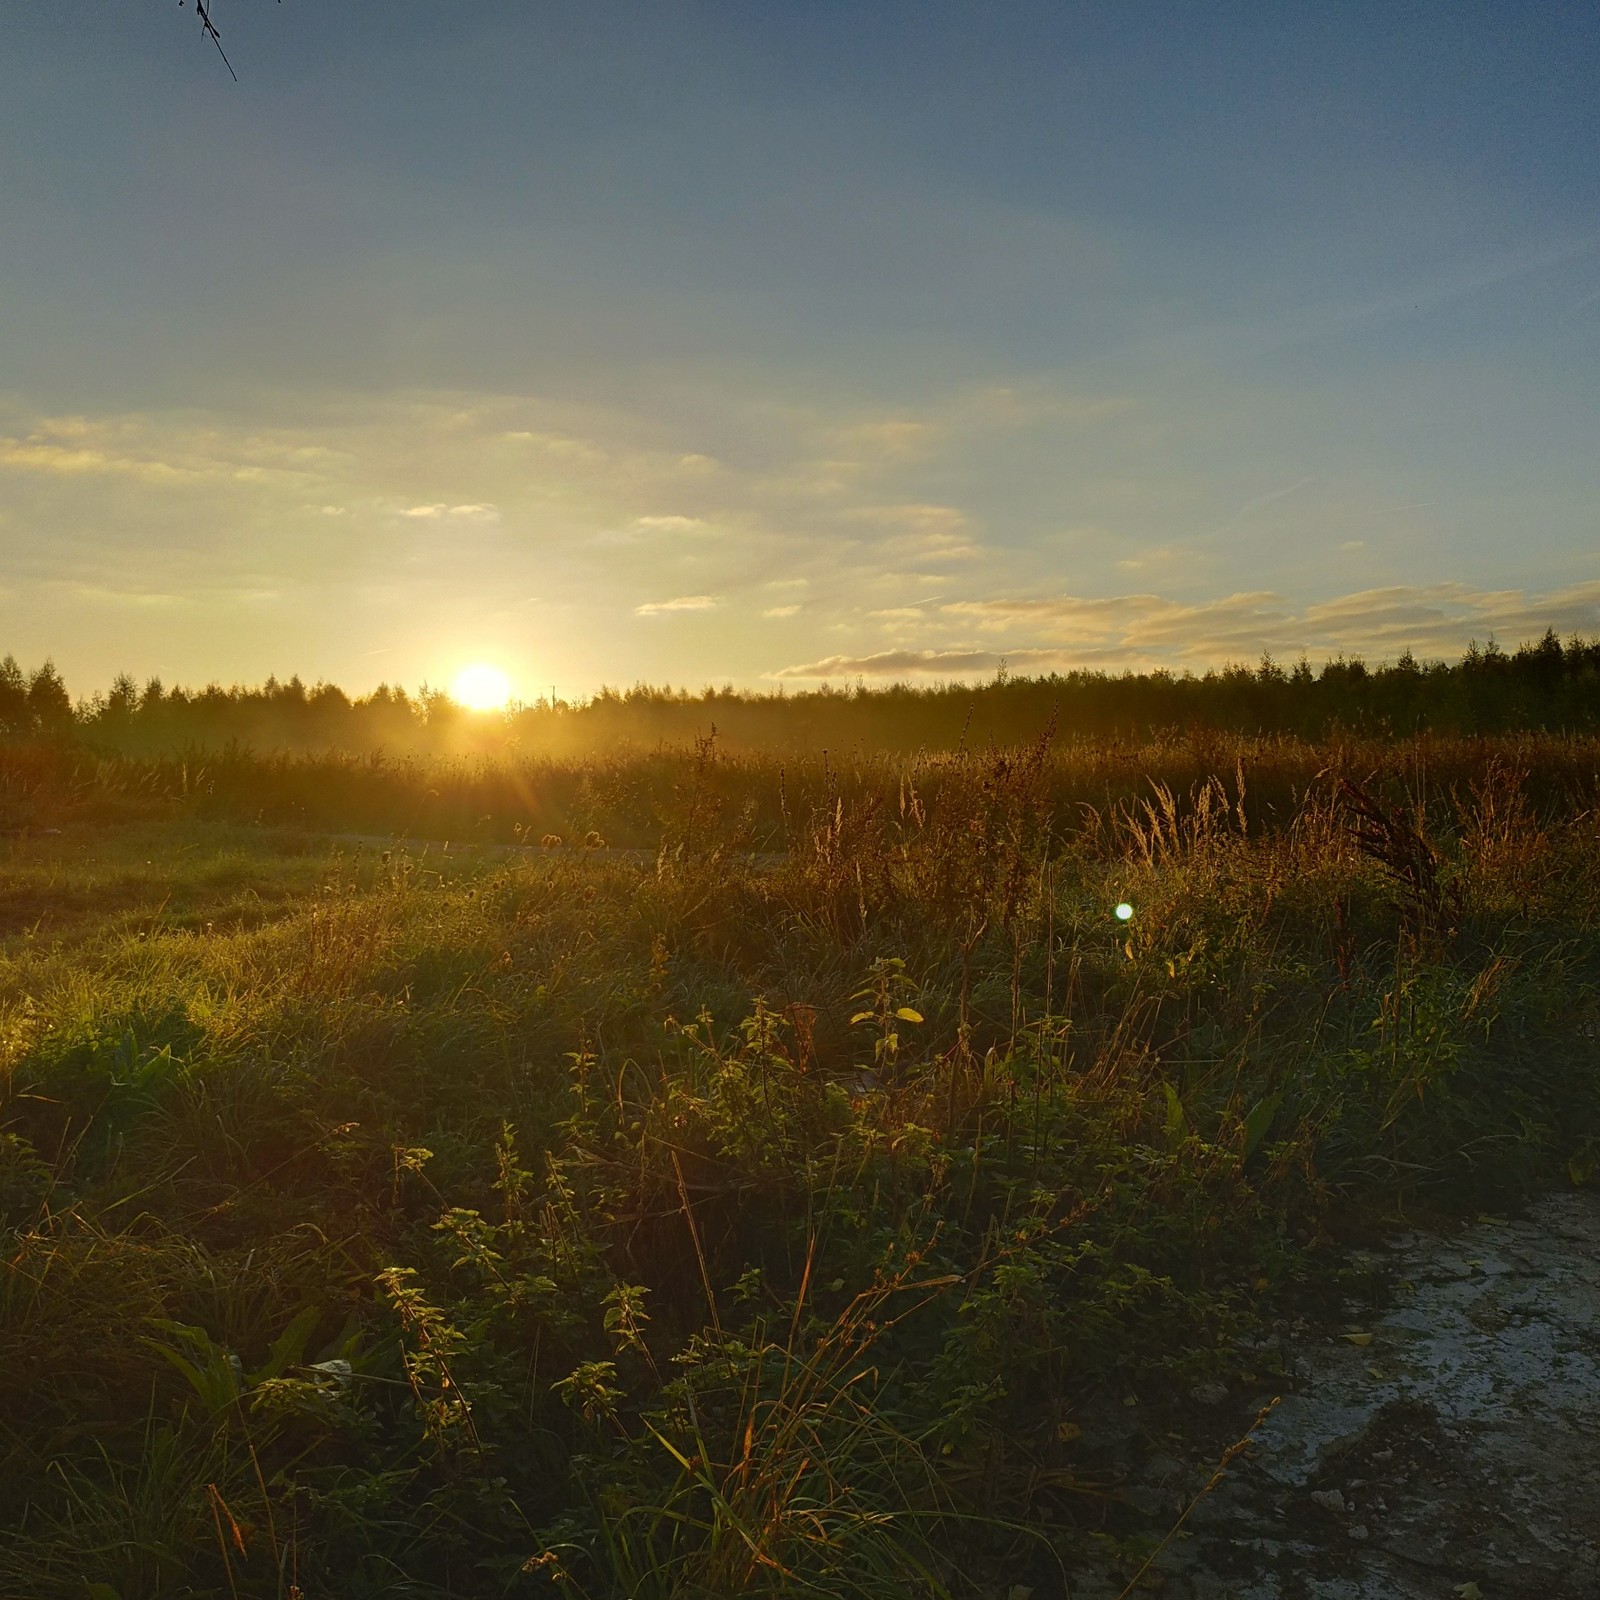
(1146, 631)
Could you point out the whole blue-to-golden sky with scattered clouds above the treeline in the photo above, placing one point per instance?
(793, 342)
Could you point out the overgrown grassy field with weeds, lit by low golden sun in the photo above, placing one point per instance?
(801, 1207)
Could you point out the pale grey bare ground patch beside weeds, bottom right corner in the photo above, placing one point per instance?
(1455, 1455)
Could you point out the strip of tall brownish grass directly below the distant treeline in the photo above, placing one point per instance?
(759, 799)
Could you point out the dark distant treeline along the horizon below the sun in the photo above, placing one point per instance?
(1548, 686)
